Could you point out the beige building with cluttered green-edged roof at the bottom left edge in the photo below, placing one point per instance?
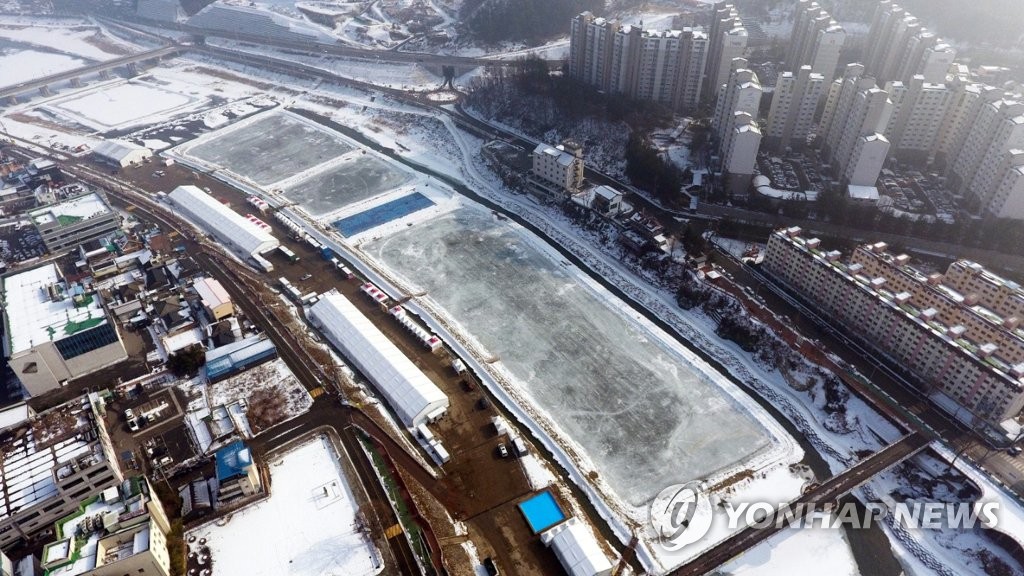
(120, 530)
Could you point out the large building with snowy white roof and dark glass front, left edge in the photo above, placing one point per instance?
(56, 332)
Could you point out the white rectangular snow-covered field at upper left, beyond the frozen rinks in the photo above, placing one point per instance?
(122, 105)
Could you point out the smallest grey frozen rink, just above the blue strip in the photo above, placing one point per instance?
(356, 180)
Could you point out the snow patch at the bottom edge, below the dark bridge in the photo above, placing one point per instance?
(797, 553)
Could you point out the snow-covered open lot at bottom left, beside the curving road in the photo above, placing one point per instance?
(307, 528)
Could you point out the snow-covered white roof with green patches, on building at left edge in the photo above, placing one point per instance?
(40, 307)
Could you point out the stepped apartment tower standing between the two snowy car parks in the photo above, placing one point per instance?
(857, 113)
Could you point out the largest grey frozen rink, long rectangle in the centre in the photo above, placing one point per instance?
(644, 415)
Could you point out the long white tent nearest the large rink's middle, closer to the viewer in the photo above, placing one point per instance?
(407, 389)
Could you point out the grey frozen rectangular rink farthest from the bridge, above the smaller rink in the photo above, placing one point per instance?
(272, 148)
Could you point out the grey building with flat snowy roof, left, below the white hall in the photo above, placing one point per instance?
(75, 222)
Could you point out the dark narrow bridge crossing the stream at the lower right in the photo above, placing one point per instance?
(830, 491)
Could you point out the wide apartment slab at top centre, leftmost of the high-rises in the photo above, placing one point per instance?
(666, 67)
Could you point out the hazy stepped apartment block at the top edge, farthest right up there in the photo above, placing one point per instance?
(900, 48)
